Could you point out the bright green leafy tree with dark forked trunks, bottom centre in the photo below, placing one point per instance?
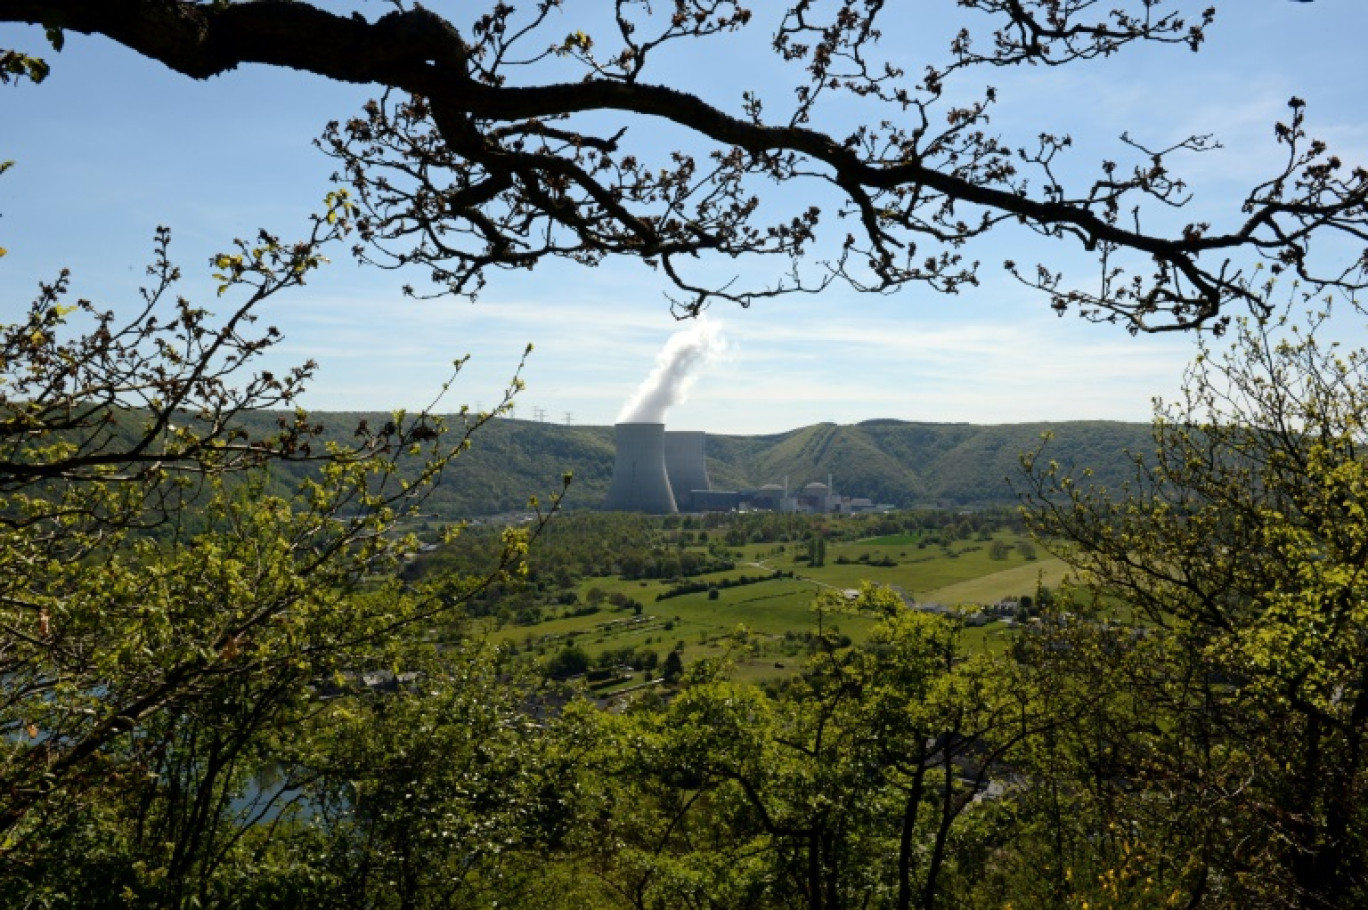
(846, 789)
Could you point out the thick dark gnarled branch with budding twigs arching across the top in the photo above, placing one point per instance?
(523, 184)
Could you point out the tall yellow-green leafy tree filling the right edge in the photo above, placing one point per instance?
(1232, 725)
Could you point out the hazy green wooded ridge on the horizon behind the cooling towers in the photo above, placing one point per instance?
(901, 463)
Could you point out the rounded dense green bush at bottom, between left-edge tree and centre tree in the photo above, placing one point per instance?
(429, 794)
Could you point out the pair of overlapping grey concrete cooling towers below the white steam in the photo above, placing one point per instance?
(656, 471)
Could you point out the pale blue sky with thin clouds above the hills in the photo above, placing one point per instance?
(113, 146)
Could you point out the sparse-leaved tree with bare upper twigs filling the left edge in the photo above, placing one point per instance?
(165, 618)
